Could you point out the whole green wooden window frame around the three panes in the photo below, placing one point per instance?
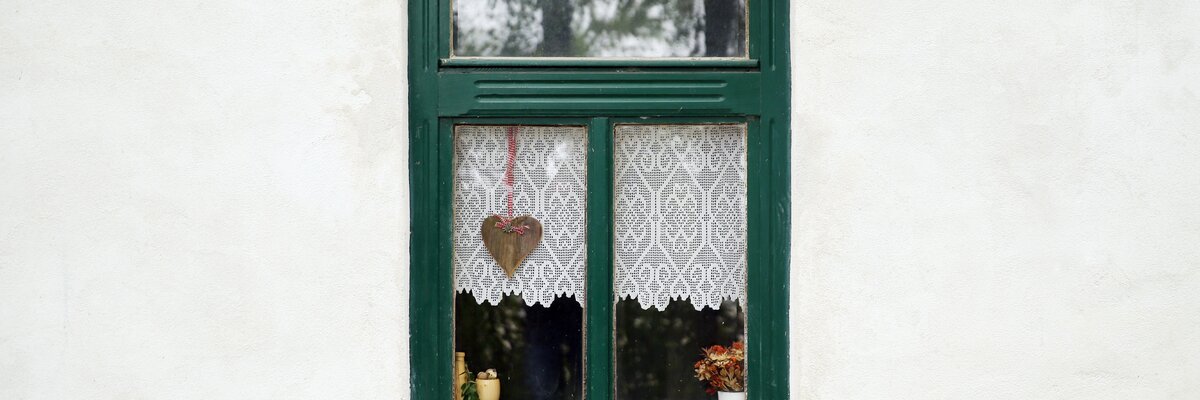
(598, 94)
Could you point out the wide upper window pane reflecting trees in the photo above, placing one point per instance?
(601, 28)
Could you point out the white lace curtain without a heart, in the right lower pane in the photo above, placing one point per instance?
(681, 214)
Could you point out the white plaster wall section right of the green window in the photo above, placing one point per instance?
(997, 200)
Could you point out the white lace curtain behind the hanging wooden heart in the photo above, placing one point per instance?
(549, 183)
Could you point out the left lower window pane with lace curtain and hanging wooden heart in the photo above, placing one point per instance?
(519, 311)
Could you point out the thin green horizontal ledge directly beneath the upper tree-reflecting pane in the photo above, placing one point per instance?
(665, 63)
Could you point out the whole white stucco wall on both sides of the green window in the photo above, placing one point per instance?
(207, 200)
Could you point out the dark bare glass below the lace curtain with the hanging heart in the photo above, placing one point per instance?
(536, 350)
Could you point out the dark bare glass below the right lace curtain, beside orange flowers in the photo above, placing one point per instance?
(656, 350)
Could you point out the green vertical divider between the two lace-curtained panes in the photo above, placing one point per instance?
(599, 313)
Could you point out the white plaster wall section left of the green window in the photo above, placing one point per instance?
(203, 200)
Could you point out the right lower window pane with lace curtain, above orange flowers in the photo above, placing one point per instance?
(680, 255)
